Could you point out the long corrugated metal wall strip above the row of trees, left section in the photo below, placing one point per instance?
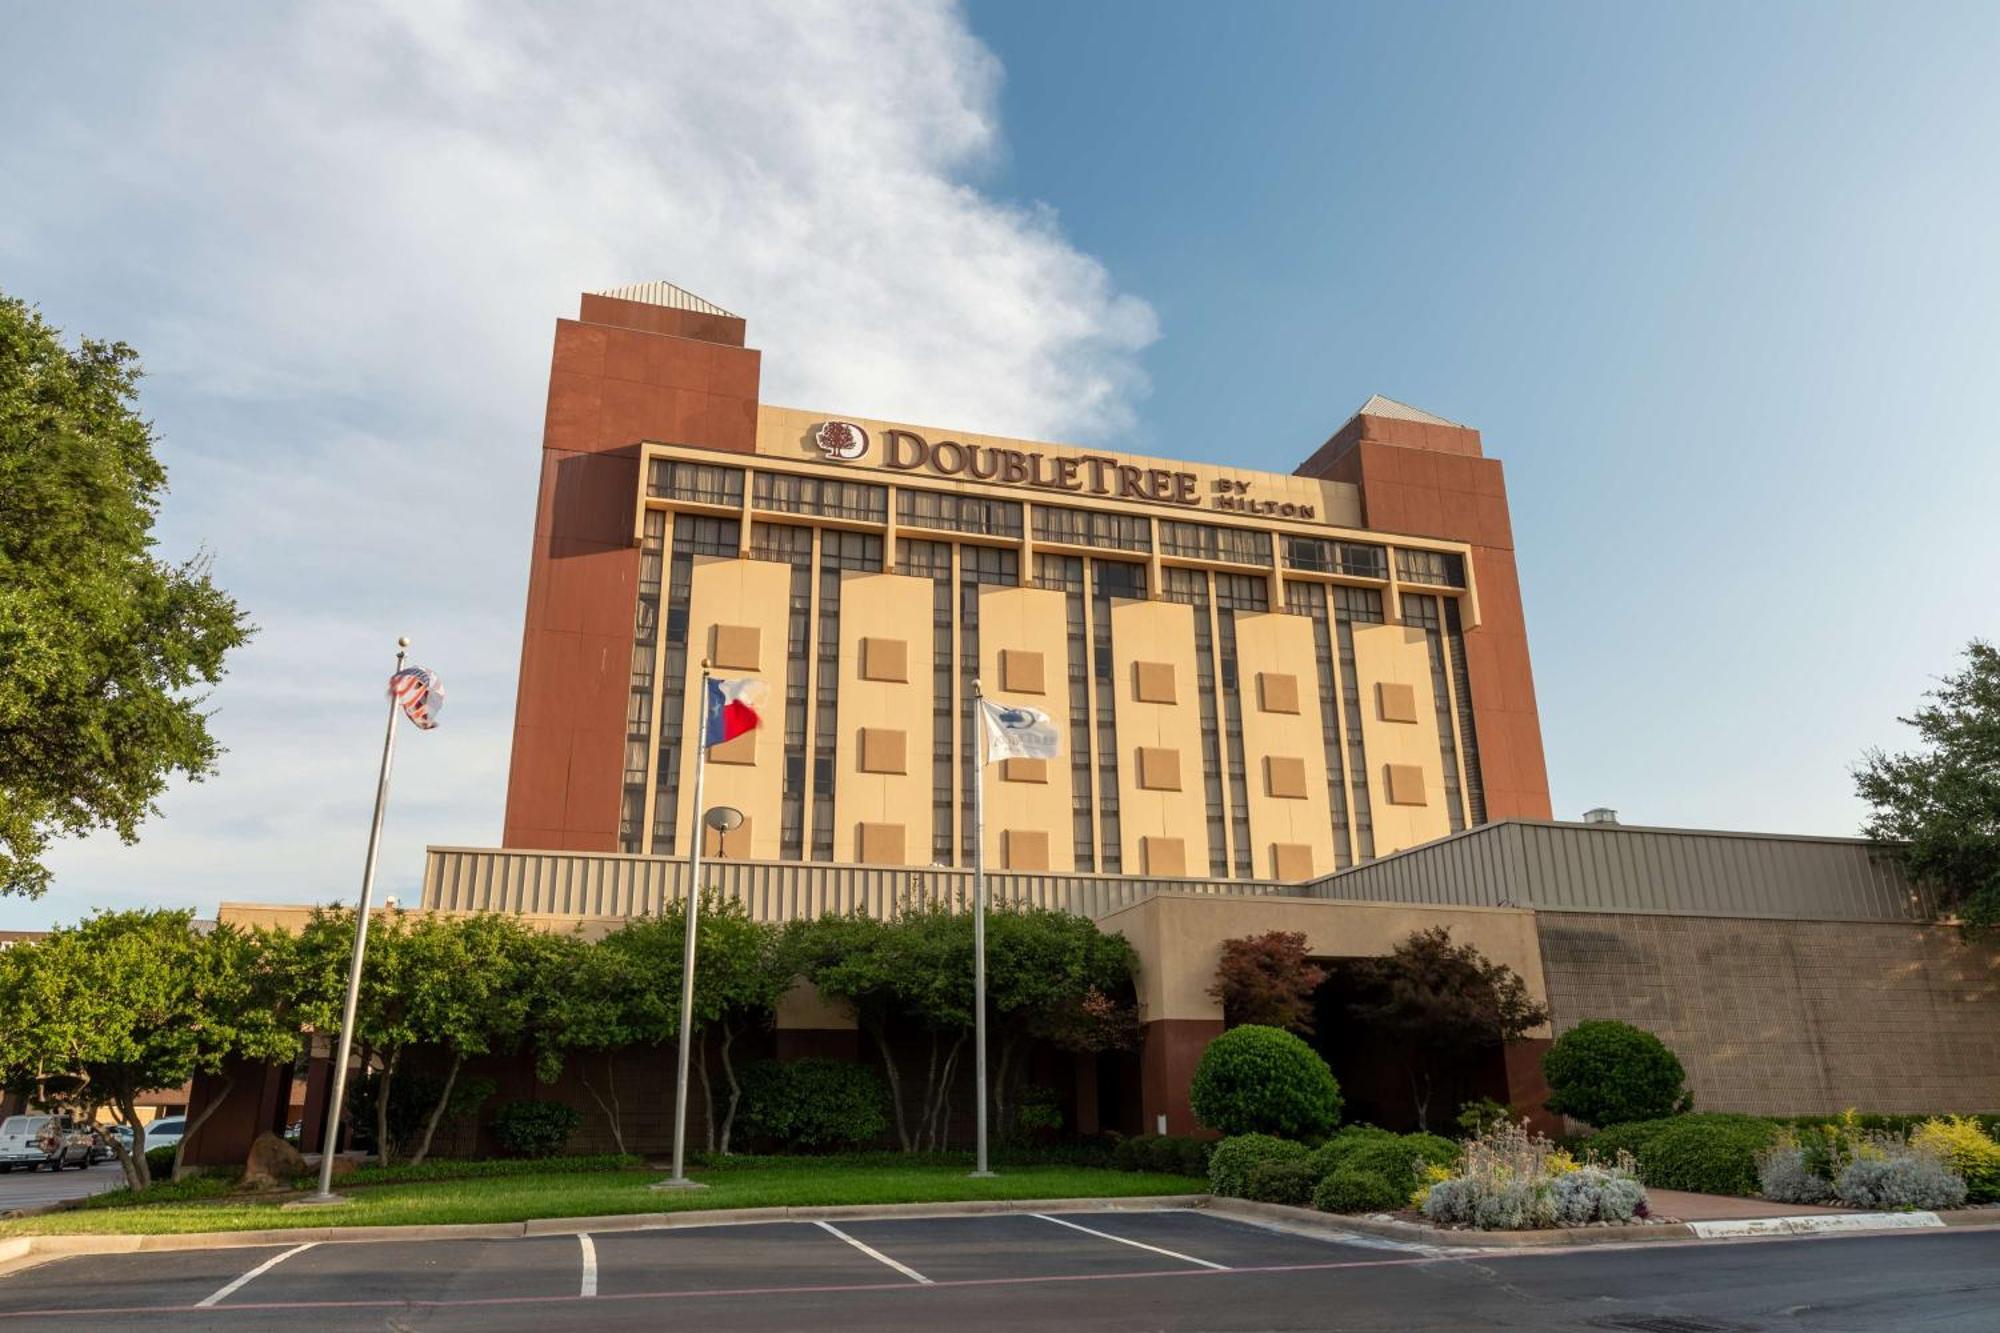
(619, 886)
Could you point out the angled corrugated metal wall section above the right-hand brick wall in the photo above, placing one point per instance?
(1629, 870)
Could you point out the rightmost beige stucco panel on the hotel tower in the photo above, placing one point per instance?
(1393, 653)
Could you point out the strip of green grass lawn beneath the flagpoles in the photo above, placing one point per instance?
(601, 1192)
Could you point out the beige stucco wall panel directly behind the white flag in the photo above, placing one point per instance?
(1029, 621)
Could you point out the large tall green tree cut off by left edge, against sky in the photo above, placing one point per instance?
(105, 649)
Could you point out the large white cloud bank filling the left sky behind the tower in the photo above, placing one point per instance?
(341, 237)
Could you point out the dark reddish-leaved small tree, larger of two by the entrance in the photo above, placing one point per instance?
(1447, 1004)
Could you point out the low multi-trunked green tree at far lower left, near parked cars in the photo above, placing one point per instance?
(133, 1002)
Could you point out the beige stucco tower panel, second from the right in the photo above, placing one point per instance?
(1283, 645)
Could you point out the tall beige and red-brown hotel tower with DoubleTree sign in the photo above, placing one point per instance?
(1257, 676)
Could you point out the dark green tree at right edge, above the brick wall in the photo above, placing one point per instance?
(1939, 808)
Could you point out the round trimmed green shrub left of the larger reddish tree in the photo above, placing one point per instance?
(1265, 1082)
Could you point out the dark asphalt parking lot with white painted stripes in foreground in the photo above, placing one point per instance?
(1101, 1270)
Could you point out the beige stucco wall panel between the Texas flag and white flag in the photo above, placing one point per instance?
(885, 607)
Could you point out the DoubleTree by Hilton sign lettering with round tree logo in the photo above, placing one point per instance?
(905, 451)
